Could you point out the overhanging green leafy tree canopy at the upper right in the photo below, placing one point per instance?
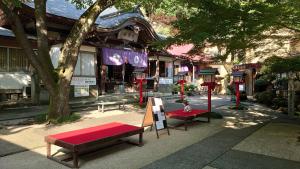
(235, 25)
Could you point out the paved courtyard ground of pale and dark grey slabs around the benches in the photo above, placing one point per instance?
(256, 138)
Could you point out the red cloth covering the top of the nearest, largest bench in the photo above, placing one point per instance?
(94, 133)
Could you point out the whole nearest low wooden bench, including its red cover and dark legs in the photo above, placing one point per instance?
(78, 141)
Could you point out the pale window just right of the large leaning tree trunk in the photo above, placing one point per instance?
(85, 65)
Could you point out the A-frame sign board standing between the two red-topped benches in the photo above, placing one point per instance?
(155, 115)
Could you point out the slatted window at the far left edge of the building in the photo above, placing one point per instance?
(13, 60)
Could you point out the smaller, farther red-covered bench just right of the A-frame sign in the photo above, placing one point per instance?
(187, 116)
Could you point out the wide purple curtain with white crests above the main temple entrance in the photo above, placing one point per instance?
(118, 57)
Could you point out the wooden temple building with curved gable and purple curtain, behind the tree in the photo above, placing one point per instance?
(117, 46)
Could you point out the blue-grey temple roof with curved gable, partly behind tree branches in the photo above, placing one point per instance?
(109, 20)
